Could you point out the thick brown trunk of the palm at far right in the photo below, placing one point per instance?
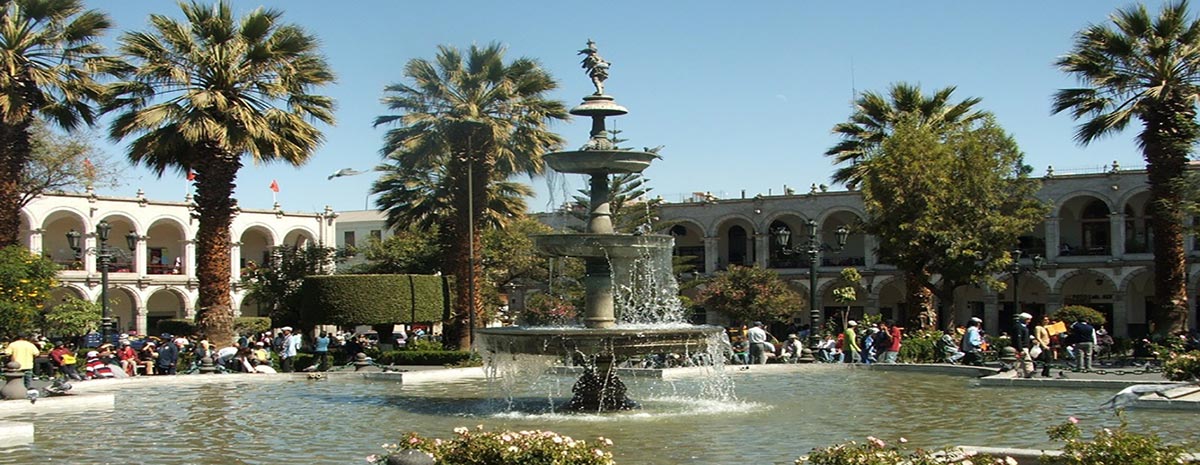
(1171, 131)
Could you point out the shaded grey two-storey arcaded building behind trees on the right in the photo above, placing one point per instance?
(1095, 245)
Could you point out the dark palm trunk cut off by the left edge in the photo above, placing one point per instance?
(14, 154)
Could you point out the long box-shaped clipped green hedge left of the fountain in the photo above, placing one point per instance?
(351, 300)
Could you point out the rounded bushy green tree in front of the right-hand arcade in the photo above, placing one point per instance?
(950, 202)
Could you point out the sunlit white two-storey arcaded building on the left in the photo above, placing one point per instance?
(152, 244)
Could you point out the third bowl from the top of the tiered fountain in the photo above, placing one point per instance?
(605, 246)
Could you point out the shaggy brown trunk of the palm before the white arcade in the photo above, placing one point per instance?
(215, 174)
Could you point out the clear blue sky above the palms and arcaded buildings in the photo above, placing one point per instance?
(743, 95)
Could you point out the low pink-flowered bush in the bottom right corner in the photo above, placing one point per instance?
(1113, 446)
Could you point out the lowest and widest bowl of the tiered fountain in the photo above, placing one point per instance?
(619, 342)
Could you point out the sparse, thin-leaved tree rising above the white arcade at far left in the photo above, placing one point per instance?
(61, 162)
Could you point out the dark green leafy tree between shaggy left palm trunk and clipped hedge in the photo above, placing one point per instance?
(278, 283)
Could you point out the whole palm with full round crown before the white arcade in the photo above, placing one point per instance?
(207, 93)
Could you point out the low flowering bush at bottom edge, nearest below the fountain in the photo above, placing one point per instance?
(482, 448)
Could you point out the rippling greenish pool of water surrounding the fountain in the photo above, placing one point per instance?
(777, 418)
